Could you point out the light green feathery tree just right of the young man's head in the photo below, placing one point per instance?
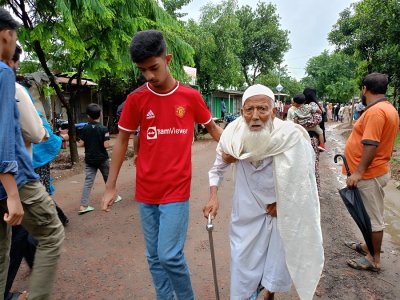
(217, 43)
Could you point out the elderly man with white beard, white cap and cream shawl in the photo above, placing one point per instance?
(275, 232)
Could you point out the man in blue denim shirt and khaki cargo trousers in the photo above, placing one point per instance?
(23, 200)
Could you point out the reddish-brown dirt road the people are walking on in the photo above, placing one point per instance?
(103, 254)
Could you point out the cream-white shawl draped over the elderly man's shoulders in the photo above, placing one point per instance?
(297, 197)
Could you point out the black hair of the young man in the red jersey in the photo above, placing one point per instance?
(147, 44)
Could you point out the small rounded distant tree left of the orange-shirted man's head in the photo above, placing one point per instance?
(333, 76)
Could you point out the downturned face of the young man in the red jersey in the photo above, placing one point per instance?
(155, 69)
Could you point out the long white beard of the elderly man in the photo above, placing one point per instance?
(256, 142)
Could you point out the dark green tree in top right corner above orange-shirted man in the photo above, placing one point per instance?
(369, 30)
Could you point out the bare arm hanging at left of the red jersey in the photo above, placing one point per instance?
(117, 158)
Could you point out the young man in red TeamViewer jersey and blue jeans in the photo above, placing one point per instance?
(166, 111)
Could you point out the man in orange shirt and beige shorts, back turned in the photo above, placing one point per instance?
(368, 151)
